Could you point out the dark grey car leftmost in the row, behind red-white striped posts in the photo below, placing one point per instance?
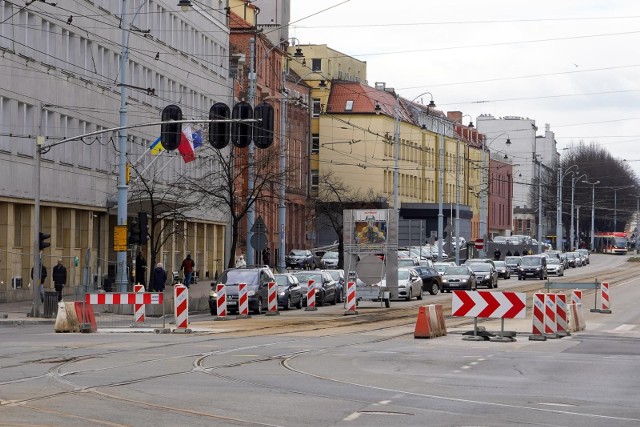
(257, 280)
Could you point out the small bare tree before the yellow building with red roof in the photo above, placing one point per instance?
(334, 196)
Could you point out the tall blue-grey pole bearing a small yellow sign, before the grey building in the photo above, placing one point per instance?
(121, 256)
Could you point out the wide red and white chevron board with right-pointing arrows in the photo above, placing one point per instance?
(497, 305)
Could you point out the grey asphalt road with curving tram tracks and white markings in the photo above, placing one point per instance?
(325, 369)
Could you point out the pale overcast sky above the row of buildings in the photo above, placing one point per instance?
(572, 64)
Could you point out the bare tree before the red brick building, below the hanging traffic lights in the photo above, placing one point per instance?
(224, 184)
